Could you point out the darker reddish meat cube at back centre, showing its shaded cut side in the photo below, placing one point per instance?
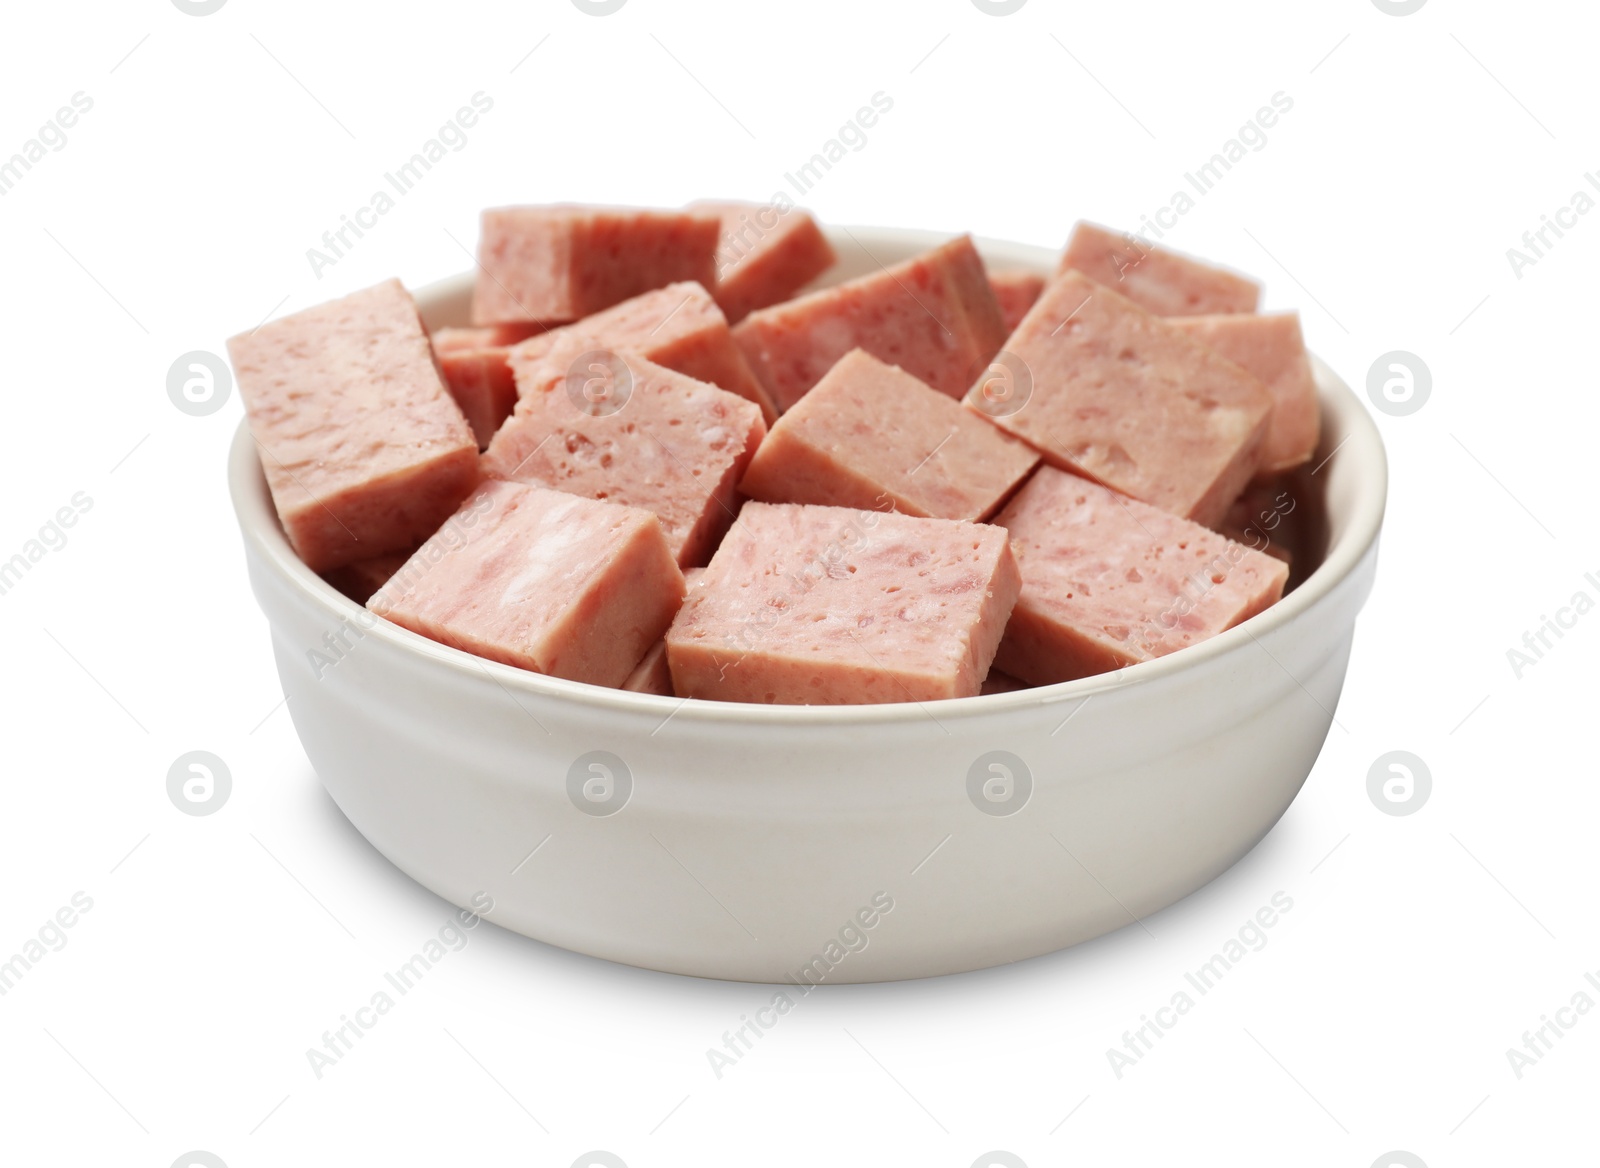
(935, 316)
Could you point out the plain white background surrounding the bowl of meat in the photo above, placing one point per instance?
(218, 950)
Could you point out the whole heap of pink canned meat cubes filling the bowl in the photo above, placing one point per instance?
(662, 458)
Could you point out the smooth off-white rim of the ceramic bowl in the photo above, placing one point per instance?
(1362, 441)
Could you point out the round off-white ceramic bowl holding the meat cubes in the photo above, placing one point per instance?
(758, 841)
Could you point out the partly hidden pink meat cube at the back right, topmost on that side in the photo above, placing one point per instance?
(1156, 279)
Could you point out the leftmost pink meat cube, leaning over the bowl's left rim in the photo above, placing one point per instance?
(361, 444)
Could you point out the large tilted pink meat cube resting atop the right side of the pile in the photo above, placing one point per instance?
(1119, 396)
